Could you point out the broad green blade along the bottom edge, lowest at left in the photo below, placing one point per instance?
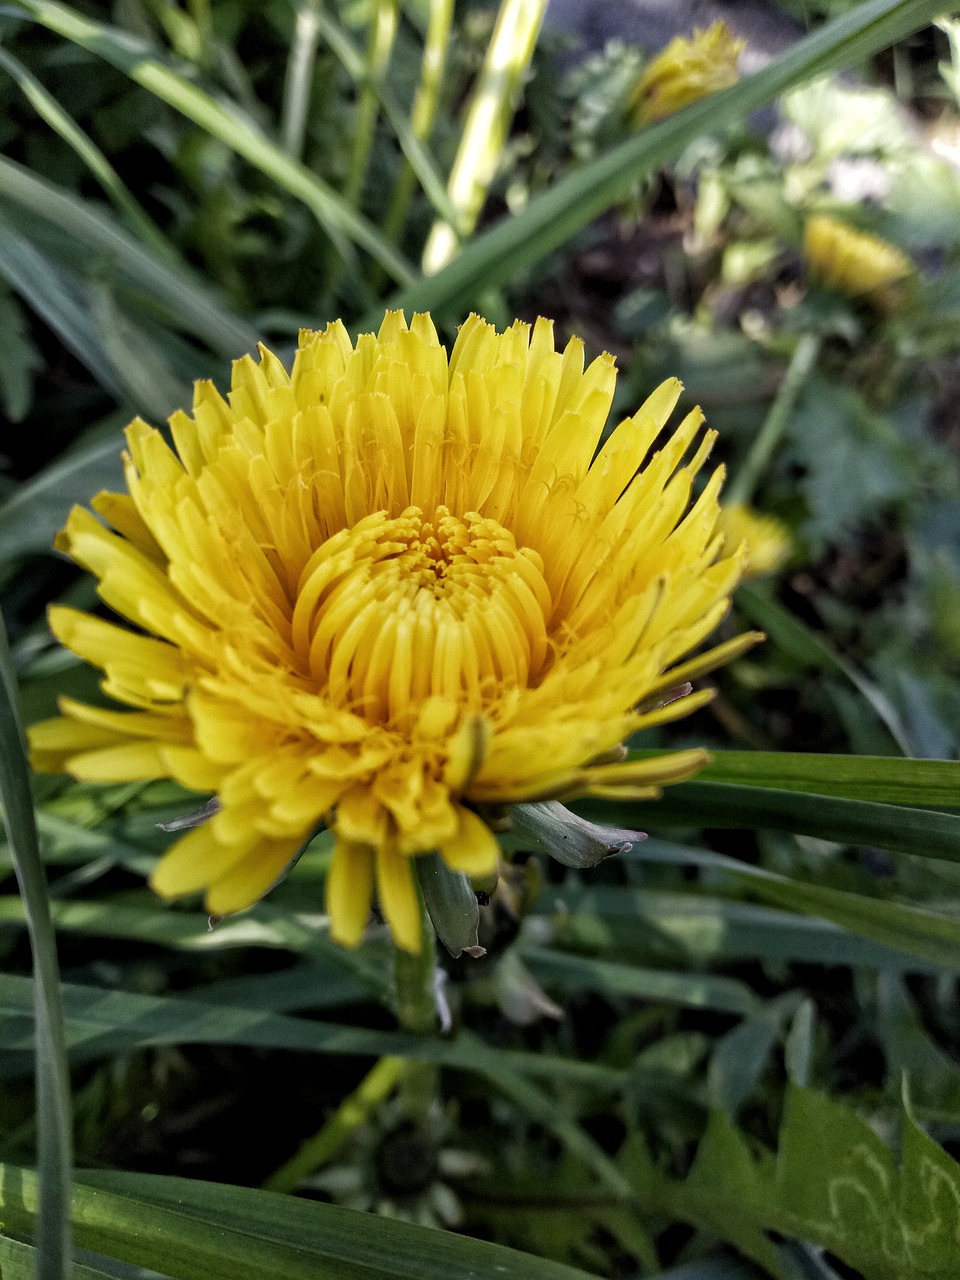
(196, 1231)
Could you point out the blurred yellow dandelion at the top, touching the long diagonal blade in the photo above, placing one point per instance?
(688, 70)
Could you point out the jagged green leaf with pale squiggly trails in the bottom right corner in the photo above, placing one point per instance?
(833, 1182)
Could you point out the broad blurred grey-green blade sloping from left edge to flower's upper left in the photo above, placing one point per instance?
(190, 304)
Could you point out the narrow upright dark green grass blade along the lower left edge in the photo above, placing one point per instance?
(54, 1123)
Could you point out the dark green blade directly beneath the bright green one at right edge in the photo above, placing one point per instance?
(926, 833)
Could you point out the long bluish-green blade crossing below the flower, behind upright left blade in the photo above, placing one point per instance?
(99, 1023)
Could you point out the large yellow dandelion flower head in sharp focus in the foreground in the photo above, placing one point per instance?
(383, 592)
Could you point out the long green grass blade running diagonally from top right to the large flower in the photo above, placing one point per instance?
(552, 218)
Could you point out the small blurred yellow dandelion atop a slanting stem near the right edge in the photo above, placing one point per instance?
(852, 262)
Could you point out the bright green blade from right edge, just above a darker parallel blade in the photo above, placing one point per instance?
(883, 779)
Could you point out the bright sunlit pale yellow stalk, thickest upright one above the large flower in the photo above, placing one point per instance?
(488, 120)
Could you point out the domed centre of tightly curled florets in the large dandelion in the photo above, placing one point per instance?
(395, 611)
